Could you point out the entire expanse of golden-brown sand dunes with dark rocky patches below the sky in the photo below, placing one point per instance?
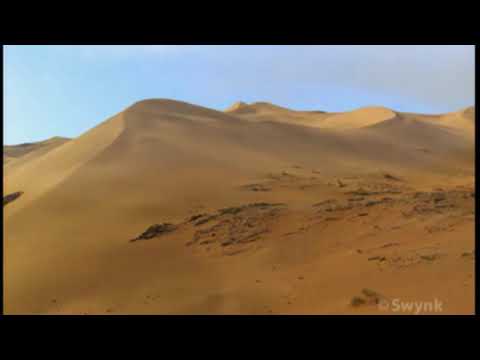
(172, 208)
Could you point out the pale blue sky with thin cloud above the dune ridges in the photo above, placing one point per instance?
(66, 90)
